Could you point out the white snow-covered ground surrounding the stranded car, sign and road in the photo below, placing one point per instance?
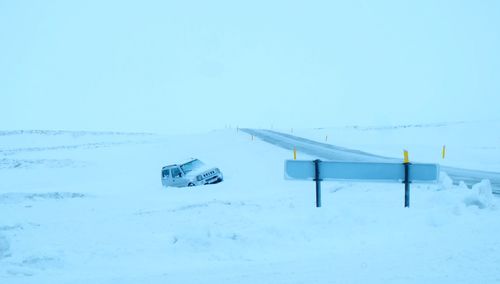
(89, 208)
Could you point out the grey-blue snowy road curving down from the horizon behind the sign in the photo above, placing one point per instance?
(330, 152)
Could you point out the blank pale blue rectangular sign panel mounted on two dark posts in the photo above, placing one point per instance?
(384, 172)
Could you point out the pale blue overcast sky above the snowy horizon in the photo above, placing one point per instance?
(197, 65)
